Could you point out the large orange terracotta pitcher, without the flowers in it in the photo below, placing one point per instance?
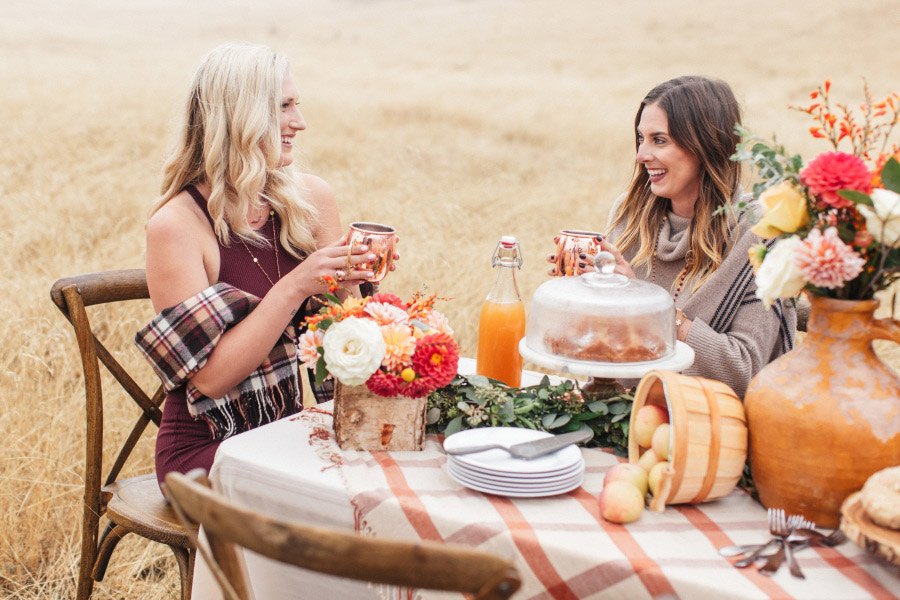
(826, 415)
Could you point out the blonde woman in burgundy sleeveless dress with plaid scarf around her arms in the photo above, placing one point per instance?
(238, 242)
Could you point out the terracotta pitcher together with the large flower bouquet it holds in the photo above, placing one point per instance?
(824, 416)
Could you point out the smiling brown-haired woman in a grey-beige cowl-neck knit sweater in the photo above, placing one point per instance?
(669, 229)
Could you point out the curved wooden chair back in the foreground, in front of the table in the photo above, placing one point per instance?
(423, 565)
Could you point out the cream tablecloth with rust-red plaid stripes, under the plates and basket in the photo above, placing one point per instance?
(564, 549)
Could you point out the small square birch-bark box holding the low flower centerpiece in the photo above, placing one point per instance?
(366, 421)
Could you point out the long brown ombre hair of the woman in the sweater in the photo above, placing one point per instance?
(702, 114)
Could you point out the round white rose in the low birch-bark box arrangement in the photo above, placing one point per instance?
(354, 349)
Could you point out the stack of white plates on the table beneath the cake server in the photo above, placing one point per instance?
(496, 472)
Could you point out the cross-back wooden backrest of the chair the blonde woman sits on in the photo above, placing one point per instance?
(72, 295)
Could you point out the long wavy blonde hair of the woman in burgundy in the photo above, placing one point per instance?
(230, 138)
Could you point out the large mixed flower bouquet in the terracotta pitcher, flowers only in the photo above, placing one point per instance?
(836, 219)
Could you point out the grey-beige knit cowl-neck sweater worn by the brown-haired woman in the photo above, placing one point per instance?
(733, 335)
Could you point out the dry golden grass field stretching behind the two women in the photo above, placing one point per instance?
(457, 121)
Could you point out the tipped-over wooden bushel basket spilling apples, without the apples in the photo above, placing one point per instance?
(709, 437)
